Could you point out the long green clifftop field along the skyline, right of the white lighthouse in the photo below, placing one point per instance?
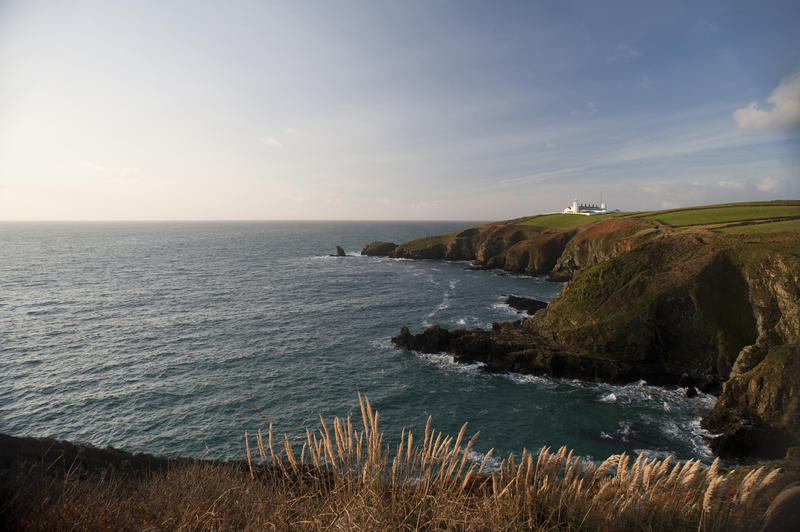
(719, 214)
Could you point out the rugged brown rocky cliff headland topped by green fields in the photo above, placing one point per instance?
(706, 297)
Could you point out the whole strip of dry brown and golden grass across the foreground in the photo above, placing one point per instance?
(345, 478)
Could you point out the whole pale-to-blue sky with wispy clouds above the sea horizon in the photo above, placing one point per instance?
(392, 110)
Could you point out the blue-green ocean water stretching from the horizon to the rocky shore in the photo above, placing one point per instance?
(175, 338)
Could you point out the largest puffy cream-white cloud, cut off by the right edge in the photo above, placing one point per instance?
(785, 111)
